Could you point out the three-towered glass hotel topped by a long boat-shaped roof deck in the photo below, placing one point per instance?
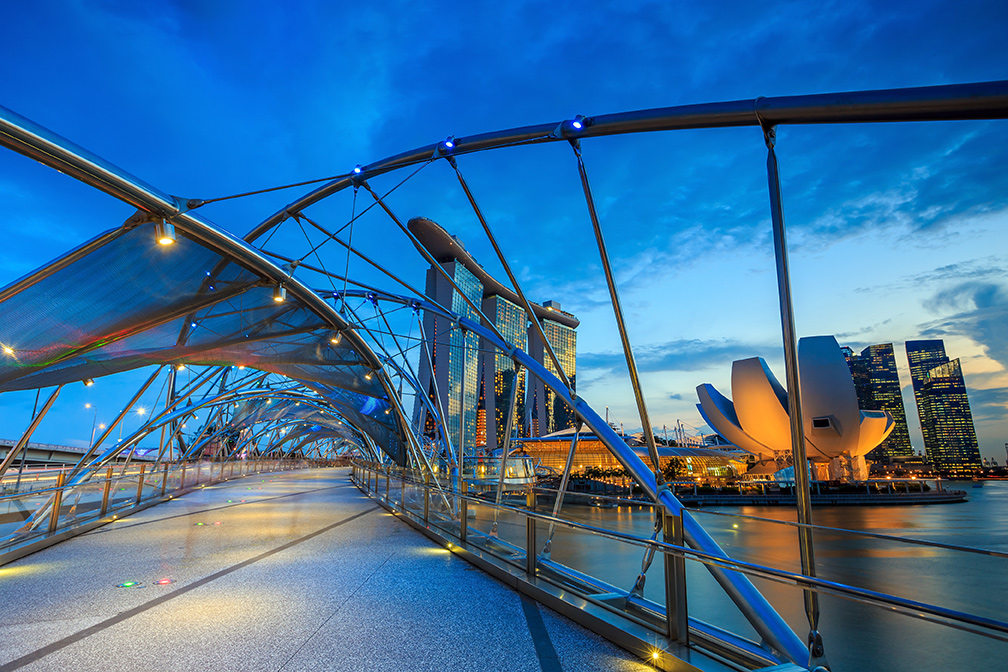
(466, 370)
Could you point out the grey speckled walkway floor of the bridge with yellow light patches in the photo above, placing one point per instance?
(285, 572)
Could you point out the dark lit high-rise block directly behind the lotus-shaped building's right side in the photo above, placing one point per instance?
(876, 382)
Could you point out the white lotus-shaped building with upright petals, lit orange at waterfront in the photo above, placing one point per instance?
(758, 421)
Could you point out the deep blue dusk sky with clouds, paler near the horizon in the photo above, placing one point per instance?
(897, 232)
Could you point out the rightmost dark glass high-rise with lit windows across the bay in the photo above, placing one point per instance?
(946, 420)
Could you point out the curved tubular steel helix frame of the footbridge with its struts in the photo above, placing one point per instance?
(957, 102)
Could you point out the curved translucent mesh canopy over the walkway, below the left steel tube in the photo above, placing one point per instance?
(128, 303)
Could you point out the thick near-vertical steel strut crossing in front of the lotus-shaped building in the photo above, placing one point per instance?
(817, 657)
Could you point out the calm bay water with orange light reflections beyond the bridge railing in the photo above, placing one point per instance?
(855, 635)
